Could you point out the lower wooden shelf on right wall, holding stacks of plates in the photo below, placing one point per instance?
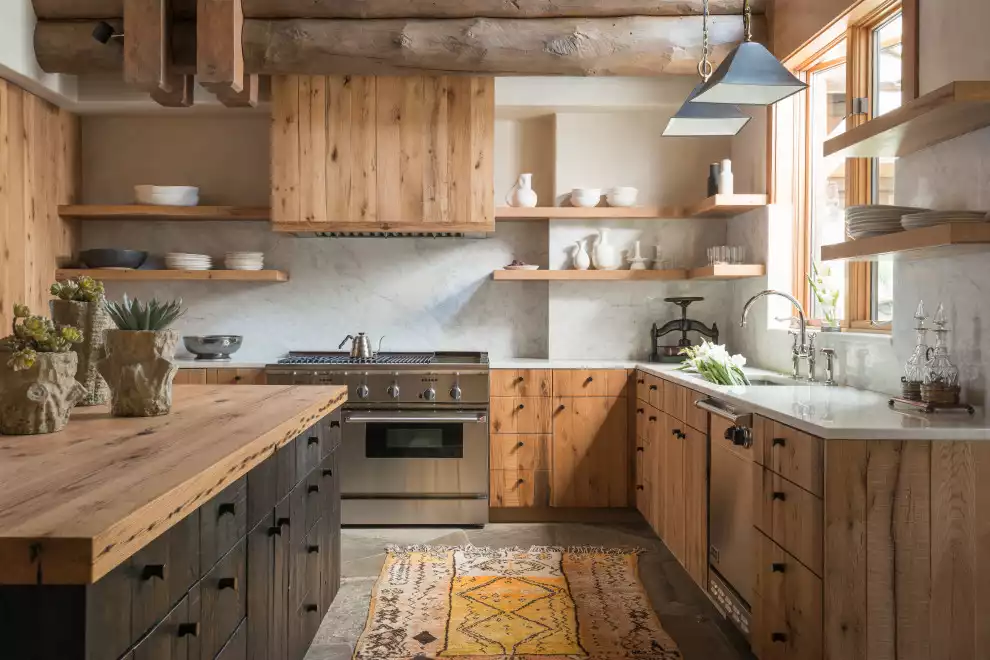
(925, 242)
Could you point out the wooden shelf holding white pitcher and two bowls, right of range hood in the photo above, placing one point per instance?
(718, 206)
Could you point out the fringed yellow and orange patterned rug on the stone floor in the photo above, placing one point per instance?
(538, 604)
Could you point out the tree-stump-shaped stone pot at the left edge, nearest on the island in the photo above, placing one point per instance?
(39, 399)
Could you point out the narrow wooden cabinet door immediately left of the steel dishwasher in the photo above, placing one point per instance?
(696, 505)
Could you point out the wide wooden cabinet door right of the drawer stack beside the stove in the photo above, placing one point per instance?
(590, 457)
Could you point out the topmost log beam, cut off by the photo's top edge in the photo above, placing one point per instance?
(186, 9)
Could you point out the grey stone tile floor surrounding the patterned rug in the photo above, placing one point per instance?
(684, 611)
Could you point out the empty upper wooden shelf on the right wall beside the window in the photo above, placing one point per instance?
(949, 112)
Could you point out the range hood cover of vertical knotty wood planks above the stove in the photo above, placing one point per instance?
(402, 153)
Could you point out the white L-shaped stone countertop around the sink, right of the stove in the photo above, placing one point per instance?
(833, 413)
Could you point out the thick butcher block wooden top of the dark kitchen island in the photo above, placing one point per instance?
(75, 504)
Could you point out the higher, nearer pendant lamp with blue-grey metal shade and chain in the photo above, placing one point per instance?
(750, 75)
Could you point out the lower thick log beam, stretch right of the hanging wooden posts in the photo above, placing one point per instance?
(637, 46)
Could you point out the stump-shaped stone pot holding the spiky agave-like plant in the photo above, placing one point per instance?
(138, 368)
